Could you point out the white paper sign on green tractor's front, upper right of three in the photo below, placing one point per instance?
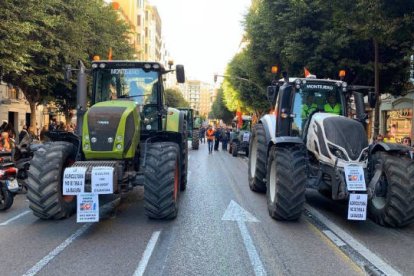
(102, 180)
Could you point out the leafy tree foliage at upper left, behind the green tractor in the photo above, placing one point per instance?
(38, 37)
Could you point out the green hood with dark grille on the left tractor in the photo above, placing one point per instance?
(110, 130)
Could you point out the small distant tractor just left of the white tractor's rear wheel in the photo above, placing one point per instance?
(240, 137)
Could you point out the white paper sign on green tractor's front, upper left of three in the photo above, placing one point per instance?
(74, 180)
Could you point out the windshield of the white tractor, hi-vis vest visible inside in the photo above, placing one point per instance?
(312, 97)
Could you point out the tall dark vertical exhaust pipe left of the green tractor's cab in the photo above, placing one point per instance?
(81, 97)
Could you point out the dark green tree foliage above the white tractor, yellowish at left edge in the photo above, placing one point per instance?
(324, 36)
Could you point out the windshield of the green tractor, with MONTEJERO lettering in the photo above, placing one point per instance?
(133, 83)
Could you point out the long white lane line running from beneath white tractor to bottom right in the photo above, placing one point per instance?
(357, 246)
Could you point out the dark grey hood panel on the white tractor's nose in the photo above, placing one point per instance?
(346, 133)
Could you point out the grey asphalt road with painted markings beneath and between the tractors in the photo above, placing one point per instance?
(222, 229)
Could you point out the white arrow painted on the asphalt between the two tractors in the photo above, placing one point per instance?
(235, 212)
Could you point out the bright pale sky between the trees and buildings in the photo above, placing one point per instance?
(203, 35)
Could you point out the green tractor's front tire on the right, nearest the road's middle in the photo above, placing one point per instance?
(162, 180)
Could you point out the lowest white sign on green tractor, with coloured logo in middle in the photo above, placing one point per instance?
(87, 208)
